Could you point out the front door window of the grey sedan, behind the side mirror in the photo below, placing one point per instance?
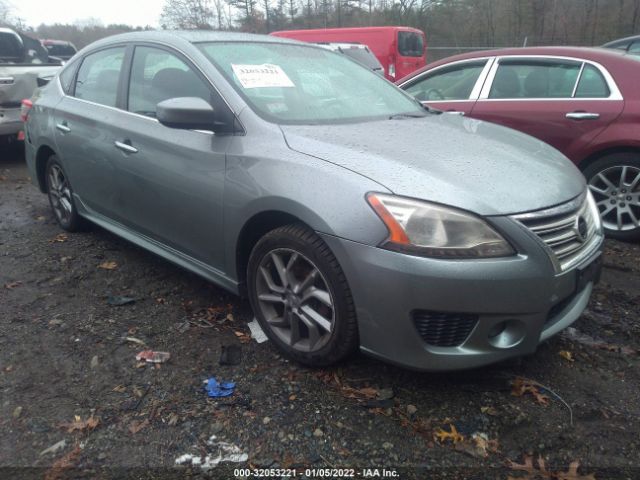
(159, 75)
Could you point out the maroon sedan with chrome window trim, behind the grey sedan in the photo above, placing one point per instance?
(583, 101)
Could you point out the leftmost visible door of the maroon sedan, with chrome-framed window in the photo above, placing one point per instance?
(451, 88)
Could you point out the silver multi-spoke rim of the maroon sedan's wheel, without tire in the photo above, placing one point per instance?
(617, 193)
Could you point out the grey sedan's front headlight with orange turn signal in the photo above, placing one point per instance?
(436, 231)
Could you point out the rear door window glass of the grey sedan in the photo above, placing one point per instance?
(98, 76)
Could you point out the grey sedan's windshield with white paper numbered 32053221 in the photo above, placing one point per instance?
(297, 84)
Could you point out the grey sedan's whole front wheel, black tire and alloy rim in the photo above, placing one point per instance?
(301, 323)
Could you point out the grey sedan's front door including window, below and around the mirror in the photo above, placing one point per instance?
(171, 180)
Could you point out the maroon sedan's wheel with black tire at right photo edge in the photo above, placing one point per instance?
(619, 199)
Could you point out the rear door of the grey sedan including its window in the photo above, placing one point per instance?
(84, 129)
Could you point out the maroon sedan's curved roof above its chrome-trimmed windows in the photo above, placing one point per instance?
(596, 54)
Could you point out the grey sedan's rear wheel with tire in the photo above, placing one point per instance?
(61, 197)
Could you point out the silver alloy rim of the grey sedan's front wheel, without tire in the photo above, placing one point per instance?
(295, 300)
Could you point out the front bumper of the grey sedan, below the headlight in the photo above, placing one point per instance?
(522, 294)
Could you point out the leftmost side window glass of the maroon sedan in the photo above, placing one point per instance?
(448, 83)
